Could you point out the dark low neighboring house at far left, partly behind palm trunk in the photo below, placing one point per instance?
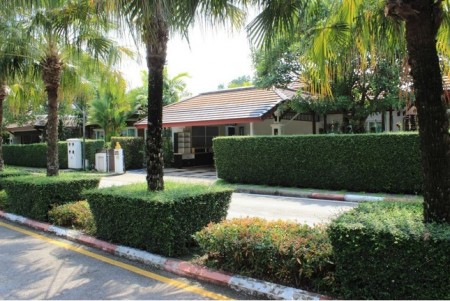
(34, 131)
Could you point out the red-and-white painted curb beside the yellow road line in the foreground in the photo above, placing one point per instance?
(247, 285)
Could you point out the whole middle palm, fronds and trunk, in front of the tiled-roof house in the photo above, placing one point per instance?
(156, 20)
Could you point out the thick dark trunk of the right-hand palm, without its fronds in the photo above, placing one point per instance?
(422, 24)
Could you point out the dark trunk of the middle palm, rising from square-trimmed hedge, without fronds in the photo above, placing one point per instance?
(157, 37)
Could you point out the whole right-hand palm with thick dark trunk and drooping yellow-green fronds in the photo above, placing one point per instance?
(362, 23)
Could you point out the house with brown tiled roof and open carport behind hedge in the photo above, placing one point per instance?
(242, 111)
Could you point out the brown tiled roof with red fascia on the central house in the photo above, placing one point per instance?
(239, 105)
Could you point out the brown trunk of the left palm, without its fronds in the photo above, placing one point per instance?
(51, 75)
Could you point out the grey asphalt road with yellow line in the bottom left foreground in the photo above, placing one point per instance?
(36, 266)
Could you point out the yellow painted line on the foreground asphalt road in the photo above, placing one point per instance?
(176, 283)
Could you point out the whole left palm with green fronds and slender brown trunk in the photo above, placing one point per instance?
(62, 31)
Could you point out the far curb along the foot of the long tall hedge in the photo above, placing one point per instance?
(313, 195)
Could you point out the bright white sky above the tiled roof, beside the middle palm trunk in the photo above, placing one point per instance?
(214, 56)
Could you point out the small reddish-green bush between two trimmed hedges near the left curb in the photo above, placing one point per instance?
(75, 215)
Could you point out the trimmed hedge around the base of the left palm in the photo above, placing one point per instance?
(33, 196)
